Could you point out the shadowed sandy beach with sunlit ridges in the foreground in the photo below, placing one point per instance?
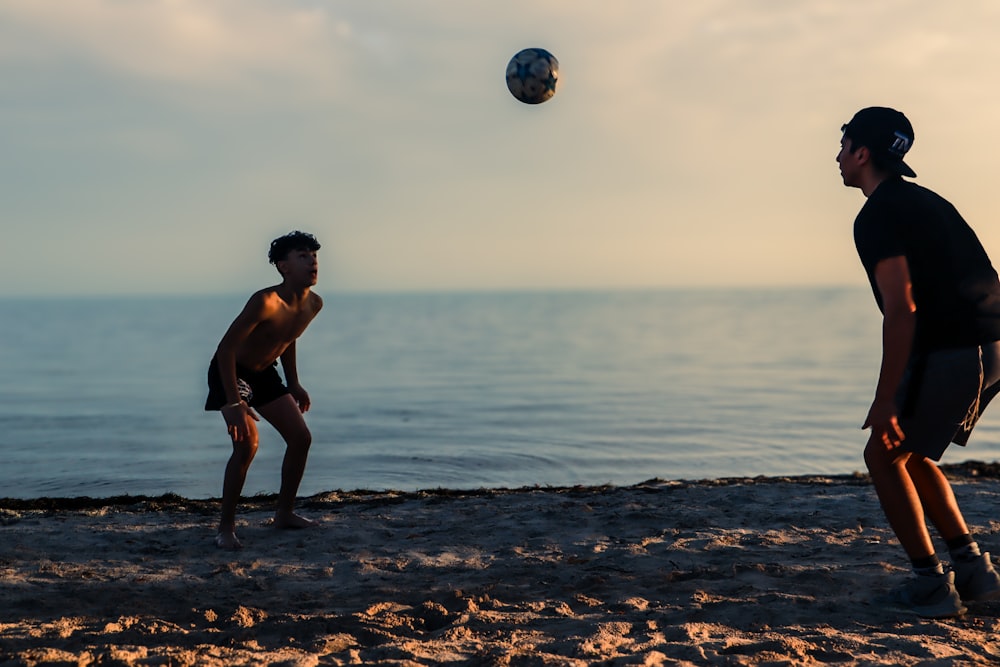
(763, 571)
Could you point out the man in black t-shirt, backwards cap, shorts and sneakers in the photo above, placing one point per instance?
(940, 300)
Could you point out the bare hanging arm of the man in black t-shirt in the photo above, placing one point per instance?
(892, 276)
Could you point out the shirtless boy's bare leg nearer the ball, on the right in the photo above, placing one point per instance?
(285, 416)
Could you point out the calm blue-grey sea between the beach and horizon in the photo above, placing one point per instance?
(104, 396)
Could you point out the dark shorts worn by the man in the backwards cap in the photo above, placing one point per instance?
(943, 394)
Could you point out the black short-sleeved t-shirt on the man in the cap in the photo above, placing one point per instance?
(955, 287)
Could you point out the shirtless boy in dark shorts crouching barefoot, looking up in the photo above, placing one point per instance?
(243, 378)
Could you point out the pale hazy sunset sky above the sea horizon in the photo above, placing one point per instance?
(157, 146)
